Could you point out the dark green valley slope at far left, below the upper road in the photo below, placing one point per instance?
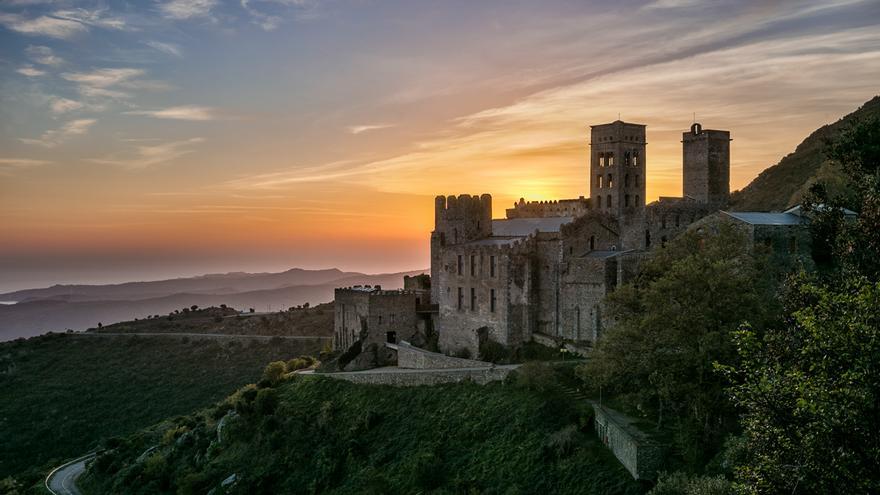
(63, 393)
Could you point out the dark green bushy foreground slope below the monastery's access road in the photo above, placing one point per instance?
(319, 435)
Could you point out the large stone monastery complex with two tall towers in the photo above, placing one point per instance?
(542, 272)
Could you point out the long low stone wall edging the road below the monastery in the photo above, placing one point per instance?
(411, 378)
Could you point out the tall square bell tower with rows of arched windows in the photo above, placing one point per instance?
(617, 167)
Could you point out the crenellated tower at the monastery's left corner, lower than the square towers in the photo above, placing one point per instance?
(457, 220)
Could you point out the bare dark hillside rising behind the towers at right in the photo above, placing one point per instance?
(784, 184)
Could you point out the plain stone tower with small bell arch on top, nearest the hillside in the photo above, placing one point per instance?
(706, 163)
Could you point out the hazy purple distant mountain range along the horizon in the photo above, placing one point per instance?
(79, 307)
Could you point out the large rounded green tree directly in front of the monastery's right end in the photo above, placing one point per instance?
(673, 322)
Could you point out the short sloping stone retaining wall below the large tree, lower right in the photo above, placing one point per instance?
(640, 455)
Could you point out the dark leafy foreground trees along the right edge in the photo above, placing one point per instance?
(809, 388)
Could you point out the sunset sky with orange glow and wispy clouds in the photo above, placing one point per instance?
(151, 139)
